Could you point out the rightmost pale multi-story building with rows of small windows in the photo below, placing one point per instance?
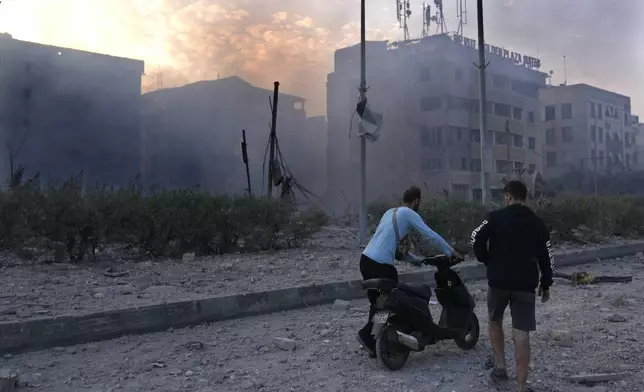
(586, 128)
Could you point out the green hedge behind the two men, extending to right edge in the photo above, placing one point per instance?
(585, 219)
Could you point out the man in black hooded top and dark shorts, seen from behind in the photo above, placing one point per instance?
(514, 244)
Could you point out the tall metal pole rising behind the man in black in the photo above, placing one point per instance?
(482, 104)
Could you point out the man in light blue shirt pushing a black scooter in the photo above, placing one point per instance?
(377, 259)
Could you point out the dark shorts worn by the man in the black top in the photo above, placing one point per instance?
(522, 307)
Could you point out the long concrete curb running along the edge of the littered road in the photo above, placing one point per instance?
(44, 333)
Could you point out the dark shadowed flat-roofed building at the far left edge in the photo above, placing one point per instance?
(64, 111)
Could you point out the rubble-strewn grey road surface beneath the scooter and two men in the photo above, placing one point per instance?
(590, 329)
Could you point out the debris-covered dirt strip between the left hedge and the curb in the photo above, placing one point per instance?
(43, 290)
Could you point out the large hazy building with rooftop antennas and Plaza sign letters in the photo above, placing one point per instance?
(428, 92)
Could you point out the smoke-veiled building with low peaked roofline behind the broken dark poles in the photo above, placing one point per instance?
(193, 134)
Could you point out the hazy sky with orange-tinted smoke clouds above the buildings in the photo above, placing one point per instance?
(293, 40)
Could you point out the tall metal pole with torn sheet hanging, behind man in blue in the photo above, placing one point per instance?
(362, 227)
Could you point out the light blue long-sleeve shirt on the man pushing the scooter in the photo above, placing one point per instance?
(382, 246)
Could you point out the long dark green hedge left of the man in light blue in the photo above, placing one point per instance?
(160, 223)
